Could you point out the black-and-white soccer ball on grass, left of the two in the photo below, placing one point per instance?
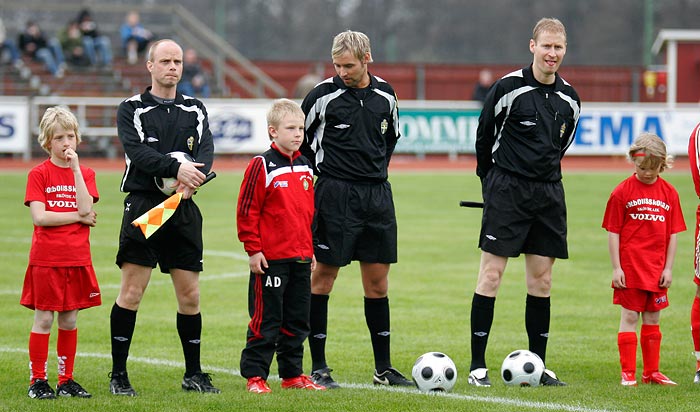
(434, 372)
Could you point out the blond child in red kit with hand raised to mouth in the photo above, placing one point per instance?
(60, 277)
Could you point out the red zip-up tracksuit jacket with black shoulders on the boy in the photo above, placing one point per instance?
(276, 207)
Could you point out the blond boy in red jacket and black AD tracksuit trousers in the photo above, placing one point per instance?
(274, 215)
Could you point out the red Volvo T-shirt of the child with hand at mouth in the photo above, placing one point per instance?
(65, 245)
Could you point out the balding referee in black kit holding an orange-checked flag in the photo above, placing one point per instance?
(149, 126)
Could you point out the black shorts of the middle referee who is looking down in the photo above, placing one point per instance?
(354, 221)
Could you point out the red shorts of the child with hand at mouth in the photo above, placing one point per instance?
(60, 289)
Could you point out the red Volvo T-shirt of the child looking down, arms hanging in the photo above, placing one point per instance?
(645, 216)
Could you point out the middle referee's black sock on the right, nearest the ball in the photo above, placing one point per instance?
(378, 323)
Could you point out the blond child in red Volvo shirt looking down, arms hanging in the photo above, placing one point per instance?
(643, 217)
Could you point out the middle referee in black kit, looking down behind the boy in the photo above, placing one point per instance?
(351, 132)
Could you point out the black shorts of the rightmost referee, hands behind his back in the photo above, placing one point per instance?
(523, 216)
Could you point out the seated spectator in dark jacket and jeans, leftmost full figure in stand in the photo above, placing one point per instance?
(34, 44)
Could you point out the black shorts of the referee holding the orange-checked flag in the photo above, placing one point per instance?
(176, 245)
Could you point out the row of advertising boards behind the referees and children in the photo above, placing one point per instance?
(427, 127)
